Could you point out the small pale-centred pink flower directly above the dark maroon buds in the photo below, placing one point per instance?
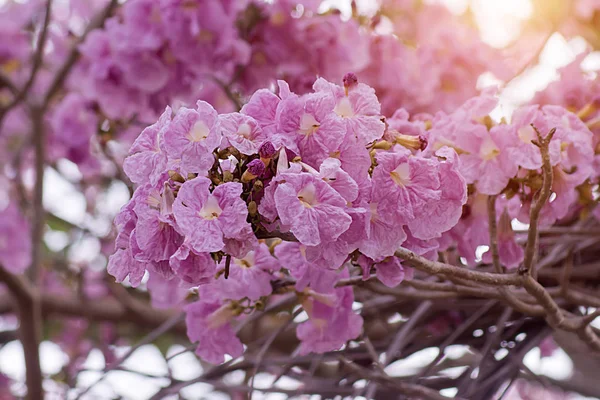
(241, 131)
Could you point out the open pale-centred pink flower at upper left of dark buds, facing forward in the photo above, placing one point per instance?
(192, 137)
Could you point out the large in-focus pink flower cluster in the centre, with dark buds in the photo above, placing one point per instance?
(323, 168)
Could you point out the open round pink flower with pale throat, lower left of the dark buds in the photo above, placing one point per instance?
(206, 218)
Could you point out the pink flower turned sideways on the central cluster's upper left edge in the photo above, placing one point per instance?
(147, 161)
